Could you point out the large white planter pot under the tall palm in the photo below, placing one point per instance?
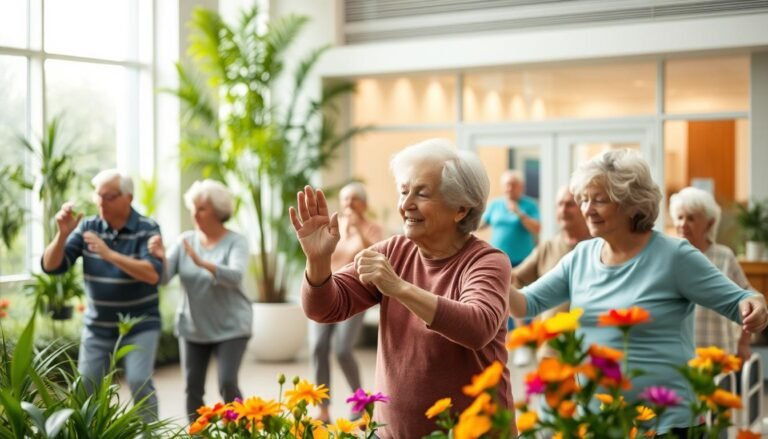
(279, 331)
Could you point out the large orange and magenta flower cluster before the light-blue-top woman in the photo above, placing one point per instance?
(581, 392)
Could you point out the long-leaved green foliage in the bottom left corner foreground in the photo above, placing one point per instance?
(37, 403)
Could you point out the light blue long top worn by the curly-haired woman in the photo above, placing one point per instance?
(666, 278)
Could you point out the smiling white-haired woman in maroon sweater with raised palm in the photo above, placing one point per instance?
(443, 292)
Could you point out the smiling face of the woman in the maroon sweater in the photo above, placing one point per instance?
(428, 220)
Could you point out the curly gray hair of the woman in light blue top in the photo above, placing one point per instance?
(626, 177)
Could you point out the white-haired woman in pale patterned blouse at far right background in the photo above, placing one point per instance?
(696, 215)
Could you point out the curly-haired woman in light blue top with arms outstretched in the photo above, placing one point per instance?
(630, 264)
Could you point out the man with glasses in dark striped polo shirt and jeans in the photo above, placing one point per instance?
(121, 276)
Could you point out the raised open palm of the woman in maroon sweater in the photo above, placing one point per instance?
(318, 233)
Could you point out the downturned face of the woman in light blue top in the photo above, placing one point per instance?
(604, 217)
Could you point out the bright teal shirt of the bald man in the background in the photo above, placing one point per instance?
(508, 233)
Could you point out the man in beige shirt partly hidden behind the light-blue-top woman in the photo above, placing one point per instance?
(573, 229)
